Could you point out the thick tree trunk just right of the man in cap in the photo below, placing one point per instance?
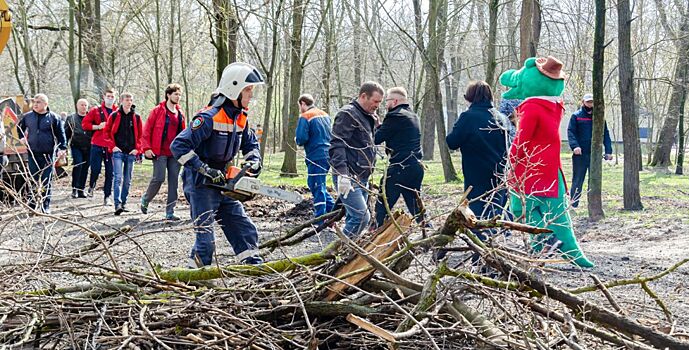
(630, 112)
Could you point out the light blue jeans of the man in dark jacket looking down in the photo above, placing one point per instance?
(357, 216)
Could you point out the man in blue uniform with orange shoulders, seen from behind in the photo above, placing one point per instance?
(313, 133)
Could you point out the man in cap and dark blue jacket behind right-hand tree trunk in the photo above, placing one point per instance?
(579, 134)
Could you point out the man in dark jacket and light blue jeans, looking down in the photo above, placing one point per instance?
(353, 156)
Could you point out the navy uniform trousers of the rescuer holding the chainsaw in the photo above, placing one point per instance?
(209, 205)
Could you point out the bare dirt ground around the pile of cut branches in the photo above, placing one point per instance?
(622, 246)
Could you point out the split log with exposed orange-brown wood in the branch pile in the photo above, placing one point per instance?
(385, 242)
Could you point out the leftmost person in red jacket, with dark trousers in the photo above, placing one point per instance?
(95, 122)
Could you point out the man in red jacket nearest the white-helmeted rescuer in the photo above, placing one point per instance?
(164, 123)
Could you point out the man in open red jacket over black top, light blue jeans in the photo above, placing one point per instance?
(123, 131)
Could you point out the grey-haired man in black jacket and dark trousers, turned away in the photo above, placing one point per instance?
(401, 133)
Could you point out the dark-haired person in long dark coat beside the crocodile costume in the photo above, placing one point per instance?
(478, 134)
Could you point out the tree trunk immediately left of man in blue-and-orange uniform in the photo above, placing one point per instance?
(289, 164)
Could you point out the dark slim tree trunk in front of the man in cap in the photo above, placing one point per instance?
(595, 204)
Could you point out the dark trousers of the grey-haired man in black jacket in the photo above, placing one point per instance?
(402, 181)
